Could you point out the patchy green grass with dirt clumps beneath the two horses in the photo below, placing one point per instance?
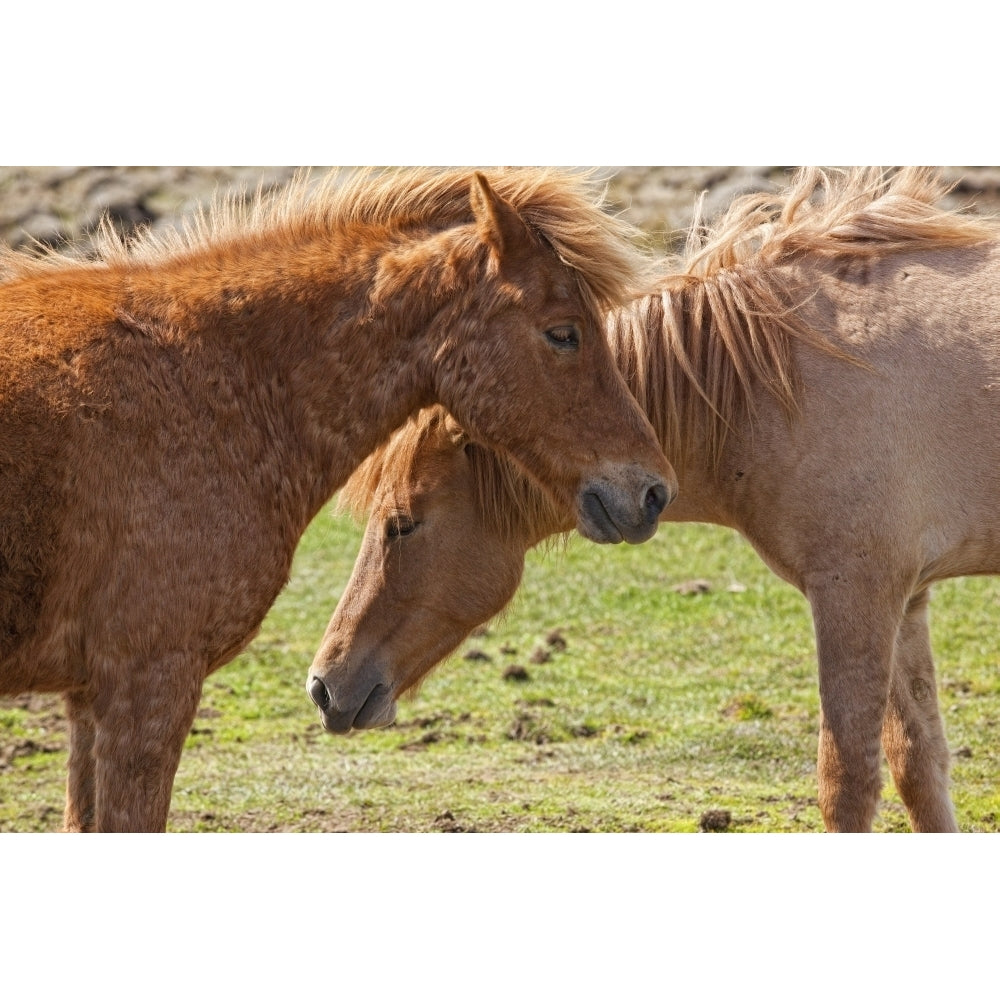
(661, 707)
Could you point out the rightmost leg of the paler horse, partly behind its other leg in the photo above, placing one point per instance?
(913, 734)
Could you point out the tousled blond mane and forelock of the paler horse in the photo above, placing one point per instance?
(721, 322)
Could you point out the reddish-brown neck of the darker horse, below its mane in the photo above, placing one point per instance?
(328, 335)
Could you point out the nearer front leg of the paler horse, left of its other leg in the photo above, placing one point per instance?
(855, 633)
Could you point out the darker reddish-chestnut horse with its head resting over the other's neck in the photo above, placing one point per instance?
(175, 412)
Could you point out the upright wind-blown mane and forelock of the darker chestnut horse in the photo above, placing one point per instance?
(566, 209)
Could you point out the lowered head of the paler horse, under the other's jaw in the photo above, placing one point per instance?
(443, 552)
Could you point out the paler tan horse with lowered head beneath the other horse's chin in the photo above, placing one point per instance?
(824, 373)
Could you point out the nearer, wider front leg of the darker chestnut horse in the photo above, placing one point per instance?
(142, 719)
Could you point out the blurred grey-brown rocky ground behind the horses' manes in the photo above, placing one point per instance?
(60, 205)
